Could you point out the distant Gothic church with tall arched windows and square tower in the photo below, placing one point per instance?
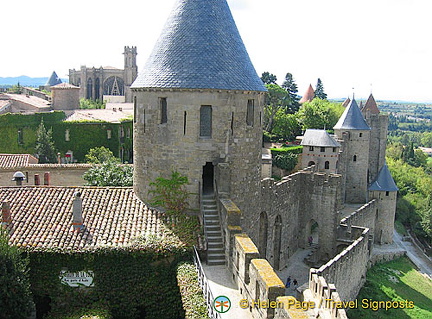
(107, 83)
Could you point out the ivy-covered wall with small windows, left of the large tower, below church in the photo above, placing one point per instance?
(18, 134)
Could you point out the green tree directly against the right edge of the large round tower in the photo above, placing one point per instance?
(277, 98)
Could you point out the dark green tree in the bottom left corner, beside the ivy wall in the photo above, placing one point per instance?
(15, 296)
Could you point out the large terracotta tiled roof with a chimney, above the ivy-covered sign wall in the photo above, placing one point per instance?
(42, 217)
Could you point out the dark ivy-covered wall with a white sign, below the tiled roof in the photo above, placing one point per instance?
(127, 284)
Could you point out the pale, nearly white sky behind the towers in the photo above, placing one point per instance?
(381, 46)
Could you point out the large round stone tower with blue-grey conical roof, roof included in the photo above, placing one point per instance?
(198, 107)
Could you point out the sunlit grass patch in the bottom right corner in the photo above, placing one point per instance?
(397, 280)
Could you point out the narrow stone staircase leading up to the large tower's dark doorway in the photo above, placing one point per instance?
(215, 248)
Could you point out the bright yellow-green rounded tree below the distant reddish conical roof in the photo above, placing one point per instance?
(319, 114)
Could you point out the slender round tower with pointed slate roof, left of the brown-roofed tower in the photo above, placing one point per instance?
(354, 135)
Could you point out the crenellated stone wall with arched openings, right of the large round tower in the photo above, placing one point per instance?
(294, 205)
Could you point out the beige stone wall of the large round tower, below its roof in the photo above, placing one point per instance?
(160, 148)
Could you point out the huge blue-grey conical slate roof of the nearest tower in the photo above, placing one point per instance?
(200, 48)
